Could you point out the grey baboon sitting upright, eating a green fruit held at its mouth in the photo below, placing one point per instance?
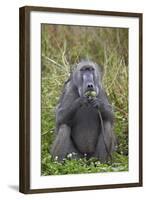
(84, 117)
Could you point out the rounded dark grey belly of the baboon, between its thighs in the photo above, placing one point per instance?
(85, 129)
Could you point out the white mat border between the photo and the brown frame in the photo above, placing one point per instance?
(132, 176)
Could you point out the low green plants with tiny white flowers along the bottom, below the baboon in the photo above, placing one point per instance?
(72, 166)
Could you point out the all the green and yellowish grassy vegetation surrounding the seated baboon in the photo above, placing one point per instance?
(62, 47)
